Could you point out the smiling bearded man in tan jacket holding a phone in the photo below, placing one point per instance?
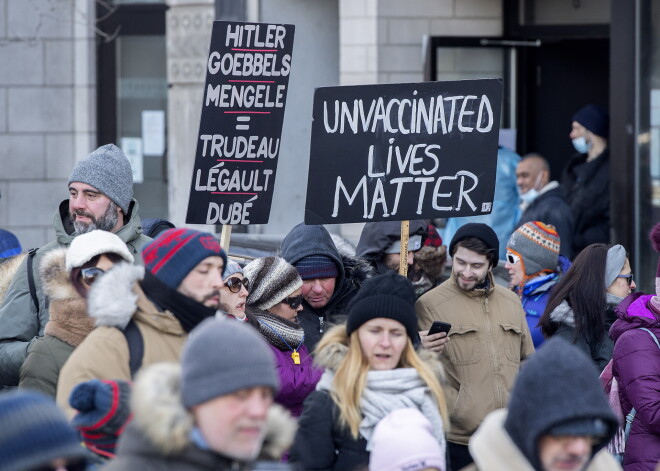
(488, 340)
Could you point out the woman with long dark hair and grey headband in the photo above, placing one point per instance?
(581, 307)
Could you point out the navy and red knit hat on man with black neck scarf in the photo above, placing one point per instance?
(175, 252)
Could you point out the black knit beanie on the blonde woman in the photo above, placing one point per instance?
(389, 295)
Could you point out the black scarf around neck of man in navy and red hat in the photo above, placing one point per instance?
(187, 311)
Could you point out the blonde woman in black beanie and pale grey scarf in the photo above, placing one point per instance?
(371, 370)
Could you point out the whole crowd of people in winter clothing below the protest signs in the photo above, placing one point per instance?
(126, 351)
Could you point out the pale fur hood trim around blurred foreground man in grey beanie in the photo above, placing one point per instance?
(163, 420)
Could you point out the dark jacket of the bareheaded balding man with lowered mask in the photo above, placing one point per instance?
(550, 207)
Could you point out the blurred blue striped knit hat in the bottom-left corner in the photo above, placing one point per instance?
(34, 432)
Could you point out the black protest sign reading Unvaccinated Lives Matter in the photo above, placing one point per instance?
(403, 151)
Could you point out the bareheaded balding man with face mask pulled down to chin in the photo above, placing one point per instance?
(543, 200)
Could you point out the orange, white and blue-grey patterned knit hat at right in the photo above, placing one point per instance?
(537, 245)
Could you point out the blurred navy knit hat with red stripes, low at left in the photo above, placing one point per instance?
(103, 412)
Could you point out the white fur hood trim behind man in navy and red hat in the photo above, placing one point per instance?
(113, 299)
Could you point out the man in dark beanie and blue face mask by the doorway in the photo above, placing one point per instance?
(586, 177)
